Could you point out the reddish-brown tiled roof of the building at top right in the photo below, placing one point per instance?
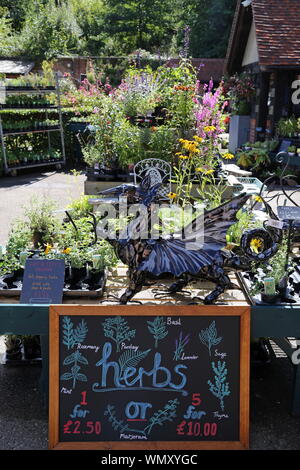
(277, 24)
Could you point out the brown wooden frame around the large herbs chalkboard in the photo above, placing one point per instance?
(149, 310)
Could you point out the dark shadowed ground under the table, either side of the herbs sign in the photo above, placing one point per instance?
(24, 420)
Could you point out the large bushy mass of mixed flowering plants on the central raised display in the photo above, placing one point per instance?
(169, 96)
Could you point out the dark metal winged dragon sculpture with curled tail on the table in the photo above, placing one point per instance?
(148, 258)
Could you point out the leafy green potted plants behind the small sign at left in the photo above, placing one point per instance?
(41, 230)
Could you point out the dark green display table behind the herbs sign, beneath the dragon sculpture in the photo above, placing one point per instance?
(278, 323)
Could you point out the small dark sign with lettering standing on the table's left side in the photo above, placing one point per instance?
(43, 281)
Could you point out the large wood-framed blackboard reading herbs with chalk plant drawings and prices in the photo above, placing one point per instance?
(149, 377)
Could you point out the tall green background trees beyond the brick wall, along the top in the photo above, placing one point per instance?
(48, 28)
